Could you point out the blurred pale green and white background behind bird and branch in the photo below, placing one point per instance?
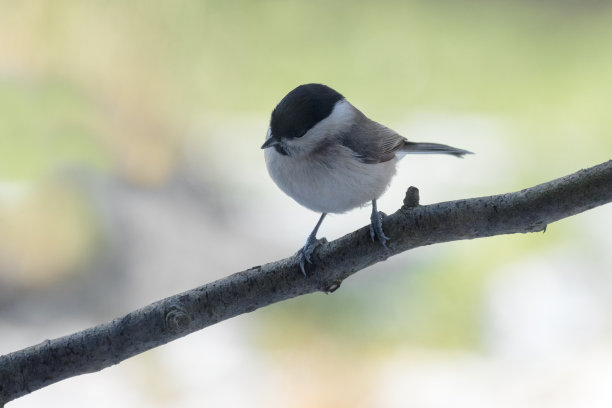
(131, 169)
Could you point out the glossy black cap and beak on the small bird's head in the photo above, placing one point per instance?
(300, 110)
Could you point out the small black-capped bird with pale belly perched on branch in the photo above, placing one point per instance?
(329, 157)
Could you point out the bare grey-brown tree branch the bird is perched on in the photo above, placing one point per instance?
(412, 226)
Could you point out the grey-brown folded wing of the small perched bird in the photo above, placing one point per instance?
(372, 142)
